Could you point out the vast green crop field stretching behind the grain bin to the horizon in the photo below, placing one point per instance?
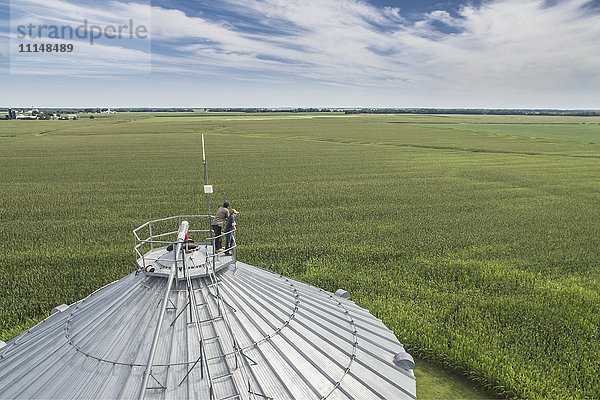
(474, 238)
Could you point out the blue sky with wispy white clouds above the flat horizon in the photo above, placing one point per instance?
(301, 53)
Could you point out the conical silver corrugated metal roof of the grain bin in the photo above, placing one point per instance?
(264, 335)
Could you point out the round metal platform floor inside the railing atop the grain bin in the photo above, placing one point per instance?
(159, 261)
